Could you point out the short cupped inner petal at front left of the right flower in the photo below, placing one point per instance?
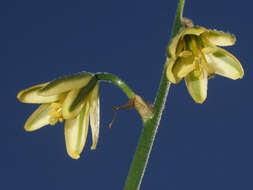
(183, 67)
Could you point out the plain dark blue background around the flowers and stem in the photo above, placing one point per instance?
(197, 147)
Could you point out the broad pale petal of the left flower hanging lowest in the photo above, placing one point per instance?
(76, 131)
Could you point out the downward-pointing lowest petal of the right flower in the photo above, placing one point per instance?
(197, 86)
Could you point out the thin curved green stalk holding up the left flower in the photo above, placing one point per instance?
(116, 81)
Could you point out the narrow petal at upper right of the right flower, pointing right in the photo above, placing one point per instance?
(220, 38)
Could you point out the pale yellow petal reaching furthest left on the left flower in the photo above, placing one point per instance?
(30, 95)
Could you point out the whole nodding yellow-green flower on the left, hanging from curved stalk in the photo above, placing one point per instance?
(72, 98)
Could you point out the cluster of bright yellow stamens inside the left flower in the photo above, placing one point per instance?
(55, 113)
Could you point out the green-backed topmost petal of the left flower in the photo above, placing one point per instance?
(66, 83)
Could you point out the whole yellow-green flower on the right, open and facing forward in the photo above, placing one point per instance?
(195, 56)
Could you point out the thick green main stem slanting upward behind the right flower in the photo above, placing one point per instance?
(146, 141)
